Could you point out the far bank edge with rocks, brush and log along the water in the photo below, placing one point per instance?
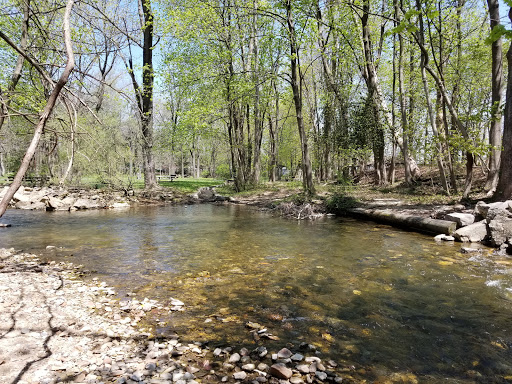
(442, 221)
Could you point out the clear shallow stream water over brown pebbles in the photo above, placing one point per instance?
(367, 295)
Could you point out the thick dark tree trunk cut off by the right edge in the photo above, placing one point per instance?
(504, 187)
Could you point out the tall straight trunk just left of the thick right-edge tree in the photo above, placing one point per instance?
(496, 101)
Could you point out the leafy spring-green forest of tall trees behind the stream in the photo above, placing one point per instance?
(253, 91)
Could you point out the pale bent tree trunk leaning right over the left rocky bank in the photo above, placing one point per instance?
(50, 104)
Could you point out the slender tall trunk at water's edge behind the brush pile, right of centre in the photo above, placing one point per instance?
(296, 83)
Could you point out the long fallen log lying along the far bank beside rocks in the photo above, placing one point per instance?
(403, 220)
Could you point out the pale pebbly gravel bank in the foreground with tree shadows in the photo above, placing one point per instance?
(56, 327)
